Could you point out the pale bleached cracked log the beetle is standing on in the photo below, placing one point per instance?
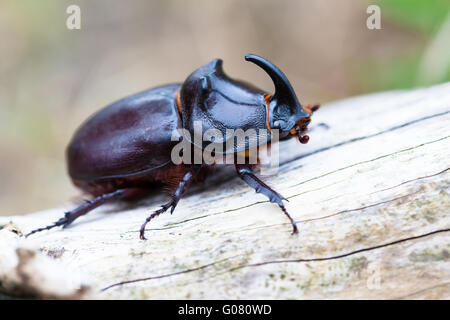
(370, 195)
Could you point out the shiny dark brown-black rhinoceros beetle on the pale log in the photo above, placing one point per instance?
(124, 150)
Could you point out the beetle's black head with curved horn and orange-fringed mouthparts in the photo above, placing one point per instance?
(285, 111)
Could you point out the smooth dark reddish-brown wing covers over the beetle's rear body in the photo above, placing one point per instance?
(126, 138)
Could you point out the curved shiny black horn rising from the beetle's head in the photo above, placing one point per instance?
(284, 93)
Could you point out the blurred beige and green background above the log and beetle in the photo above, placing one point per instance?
(52, 78)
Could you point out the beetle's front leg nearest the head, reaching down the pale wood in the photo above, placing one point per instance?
(246, 173)
